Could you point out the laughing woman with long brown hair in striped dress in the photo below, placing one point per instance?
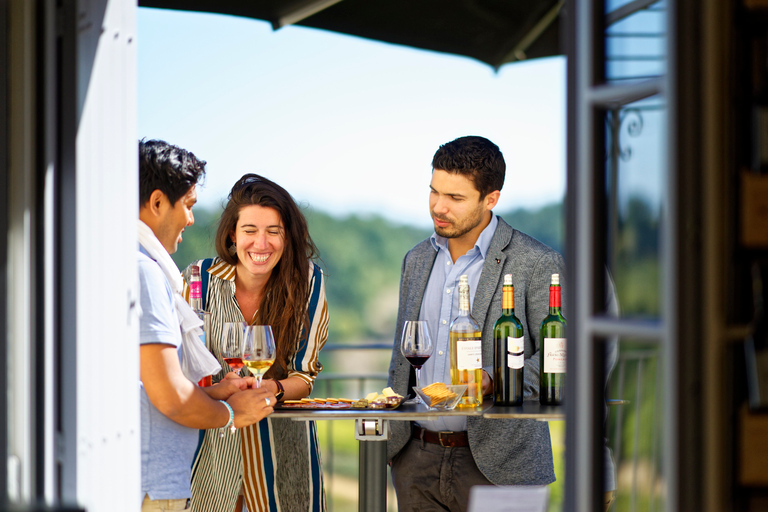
(265, 275)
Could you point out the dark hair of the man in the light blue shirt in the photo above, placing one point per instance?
(167, 168)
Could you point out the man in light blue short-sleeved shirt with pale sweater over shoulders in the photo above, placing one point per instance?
(173, 407)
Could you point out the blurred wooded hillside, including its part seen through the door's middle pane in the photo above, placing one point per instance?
(361, 256)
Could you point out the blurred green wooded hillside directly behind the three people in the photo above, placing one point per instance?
(362, 256)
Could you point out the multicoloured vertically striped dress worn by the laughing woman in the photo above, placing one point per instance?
(277, 461)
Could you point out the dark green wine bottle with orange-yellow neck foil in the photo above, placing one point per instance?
(509, 350)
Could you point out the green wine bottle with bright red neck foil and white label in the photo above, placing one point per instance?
(552, 353)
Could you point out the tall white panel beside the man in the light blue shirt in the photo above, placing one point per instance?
(108, 443)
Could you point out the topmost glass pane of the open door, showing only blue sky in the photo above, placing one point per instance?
(635, 40)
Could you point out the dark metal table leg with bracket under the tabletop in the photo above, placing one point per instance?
(372, 435)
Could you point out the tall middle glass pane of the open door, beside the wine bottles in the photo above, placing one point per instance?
(635, 177)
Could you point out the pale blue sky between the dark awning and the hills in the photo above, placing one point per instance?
(345, 124)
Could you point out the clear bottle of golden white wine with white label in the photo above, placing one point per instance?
(467, 351)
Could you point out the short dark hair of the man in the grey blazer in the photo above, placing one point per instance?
(476, 158)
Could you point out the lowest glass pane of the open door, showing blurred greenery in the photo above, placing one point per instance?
(633, 430)
